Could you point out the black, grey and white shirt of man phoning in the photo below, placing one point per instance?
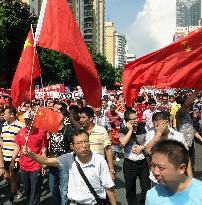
(140, 138)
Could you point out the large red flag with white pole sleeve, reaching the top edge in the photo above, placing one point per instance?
(59, 31)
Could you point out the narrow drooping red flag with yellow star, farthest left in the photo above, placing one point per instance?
(20, 88)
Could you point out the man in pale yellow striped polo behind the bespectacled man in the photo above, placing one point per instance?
(98, 137)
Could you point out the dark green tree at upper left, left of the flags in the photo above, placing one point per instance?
(15, 21)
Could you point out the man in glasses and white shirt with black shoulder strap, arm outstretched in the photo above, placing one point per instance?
(93, 165)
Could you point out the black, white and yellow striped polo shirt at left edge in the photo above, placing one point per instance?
(8, 135)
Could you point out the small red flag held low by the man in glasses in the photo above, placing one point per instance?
(47, 120)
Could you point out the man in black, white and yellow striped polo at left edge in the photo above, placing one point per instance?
(9, 131)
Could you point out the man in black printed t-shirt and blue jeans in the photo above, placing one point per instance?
(59, 145)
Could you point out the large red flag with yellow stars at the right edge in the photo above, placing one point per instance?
(179, 65)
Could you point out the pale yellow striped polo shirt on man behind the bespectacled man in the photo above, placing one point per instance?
(99, 139)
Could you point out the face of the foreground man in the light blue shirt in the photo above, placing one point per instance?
(164, 171)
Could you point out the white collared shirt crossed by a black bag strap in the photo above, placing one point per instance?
(96, 171)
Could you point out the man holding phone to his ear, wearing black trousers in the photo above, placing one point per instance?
(132, 137)
